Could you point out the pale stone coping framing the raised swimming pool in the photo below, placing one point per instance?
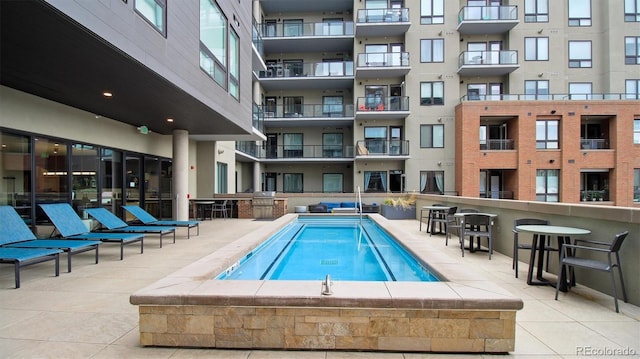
(462, 290)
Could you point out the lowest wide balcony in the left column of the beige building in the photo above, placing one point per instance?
(306, 153)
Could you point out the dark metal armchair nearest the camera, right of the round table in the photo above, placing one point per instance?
(569, 259)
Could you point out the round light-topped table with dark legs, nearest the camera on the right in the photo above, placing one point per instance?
(537, 248)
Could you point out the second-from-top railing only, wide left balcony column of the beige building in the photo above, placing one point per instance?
(318, 69)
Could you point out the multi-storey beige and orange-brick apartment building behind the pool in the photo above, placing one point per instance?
(529, 99)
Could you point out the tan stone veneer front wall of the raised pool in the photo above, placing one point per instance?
(375, 329)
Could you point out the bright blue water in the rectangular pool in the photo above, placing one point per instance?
(311, 248)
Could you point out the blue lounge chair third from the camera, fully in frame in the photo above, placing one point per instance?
(70, 226)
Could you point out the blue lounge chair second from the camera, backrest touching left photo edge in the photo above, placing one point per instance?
(14, 233)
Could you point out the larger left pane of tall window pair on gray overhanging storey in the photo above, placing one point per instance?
(213, 42)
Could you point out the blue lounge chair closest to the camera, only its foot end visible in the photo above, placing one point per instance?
(22, 257)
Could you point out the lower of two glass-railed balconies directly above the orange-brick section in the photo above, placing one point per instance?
(487, 63)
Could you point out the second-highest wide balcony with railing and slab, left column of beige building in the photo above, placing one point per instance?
(314, 76)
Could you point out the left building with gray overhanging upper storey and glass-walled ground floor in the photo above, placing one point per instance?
(109, 102)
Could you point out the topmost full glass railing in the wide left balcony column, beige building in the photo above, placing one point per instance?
(306, 29)
